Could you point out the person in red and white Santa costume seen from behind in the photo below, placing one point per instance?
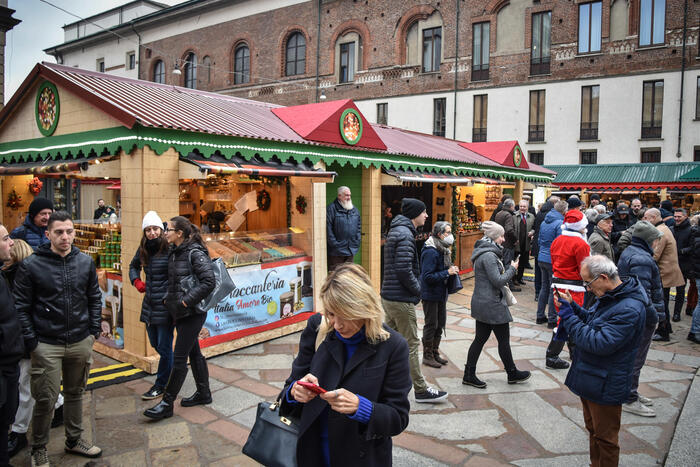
(568, 250)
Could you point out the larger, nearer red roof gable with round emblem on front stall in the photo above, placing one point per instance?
(335, 122)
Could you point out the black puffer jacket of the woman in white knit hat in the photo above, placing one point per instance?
(153, 309)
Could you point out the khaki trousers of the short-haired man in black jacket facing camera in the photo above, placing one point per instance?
(50, 364)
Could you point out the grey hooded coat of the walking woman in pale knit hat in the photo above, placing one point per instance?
(486, 305)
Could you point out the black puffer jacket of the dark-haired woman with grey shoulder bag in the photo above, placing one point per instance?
(178, 269)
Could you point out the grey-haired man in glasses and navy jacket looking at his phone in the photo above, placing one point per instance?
(606, 338)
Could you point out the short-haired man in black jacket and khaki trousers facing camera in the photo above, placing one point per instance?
(59, 303)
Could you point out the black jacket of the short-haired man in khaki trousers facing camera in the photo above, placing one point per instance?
(58, 299)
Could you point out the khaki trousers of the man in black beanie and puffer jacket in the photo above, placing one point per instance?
(401, 317)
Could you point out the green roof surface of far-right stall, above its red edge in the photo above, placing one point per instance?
(599, 174)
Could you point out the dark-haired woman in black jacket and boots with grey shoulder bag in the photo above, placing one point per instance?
(188, 256)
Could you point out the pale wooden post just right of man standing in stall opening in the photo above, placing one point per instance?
(372, 223)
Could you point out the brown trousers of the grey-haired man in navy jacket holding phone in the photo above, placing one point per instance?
(603, 425)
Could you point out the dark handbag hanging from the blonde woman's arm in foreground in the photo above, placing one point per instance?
(273, 439)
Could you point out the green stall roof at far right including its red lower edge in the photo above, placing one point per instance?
(625, 176)
